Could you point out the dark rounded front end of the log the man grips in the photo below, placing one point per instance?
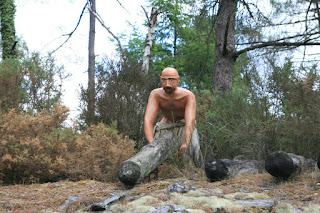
(129, 173)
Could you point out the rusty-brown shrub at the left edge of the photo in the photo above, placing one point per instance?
(33, 148)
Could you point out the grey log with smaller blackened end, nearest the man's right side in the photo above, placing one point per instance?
(221, 169)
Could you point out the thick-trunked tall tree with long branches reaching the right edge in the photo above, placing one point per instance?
(255, 22)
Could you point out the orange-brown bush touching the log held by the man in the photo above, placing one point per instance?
(99, 152)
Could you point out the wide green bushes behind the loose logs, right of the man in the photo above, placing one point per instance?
(259, 117)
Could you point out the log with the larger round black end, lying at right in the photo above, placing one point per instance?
(282, 165)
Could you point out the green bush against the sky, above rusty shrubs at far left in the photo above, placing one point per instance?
(31, 84)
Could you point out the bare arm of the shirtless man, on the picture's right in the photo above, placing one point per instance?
(190, 117)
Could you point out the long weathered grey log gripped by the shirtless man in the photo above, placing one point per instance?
(149, 158)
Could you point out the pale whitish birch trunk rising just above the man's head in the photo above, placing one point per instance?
(149, 39)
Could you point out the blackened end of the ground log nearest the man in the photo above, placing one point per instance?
(216, 170)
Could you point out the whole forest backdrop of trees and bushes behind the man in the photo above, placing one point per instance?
(252, 65)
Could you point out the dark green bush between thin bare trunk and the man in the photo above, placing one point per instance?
(122, 93)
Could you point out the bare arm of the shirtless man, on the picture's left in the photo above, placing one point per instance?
(150, 115)
